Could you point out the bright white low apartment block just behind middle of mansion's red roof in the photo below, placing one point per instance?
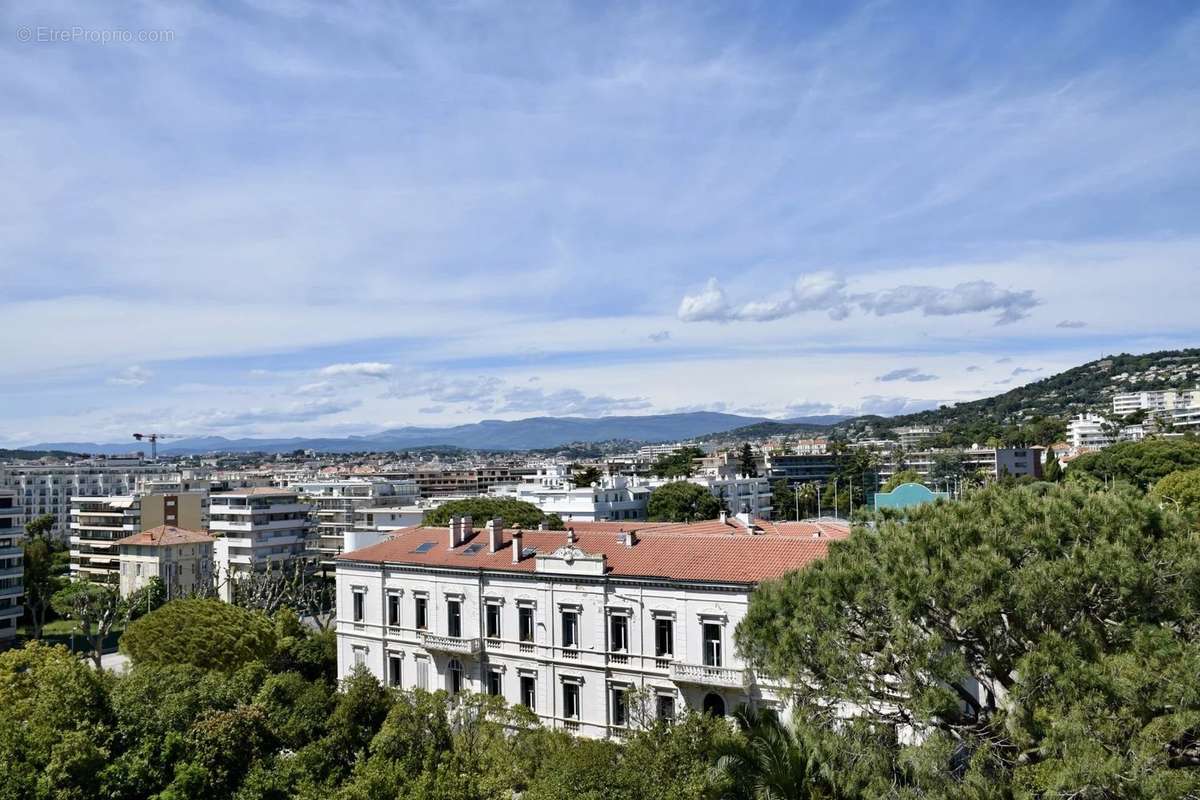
(614, 500)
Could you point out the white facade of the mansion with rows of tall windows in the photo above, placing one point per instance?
(568, 639)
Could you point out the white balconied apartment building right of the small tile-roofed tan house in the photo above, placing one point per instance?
(256, 528)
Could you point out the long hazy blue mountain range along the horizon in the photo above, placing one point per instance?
(533, 434)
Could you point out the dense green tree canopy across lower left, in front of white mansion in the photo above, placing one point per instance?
(279, 729)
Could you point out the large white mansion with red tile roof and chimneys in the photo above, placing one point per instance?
(568, 622)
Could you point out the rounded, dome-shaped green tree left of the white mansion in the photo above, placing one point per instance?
(206, 634)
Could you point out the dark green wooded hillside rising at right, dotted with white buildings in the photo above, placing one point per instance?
(1037, 412)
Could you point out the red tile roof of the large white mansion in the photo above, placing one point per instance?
(663, 551)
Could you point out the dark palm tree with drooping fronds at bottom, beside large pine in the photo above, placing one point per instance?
(769, 763)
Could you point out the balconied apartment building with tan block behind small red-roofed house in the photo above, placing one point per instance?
(99, 522)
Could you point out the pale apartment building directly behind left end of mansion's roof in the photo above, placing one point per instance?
(335, 506)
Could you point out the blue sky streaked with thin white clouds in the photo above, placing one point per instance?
(302, 219)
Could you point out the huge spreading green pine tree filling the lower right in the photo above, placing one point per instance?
(1041, 639)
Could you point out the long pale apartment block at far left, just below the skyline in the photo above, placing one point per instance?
(49, 489)
